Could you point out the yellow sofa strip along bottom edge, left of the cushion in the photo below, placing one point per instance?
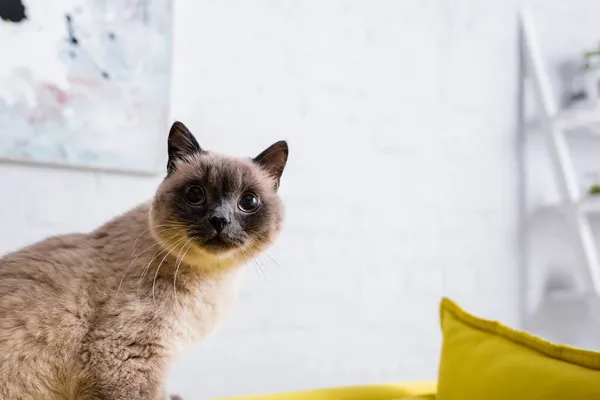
(395, 391)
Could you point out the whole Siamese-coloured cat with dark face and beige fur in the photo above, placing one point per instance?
(101, 315)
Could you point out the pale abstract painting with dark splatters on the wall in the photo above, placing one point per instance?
(85, 83)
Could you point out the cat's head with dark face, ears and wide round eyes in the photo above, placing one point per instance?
(216, 207)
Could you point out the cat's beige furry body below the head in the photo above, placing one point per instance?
(67, 320)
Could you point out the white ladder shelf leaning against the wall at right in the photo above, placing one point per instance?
(556, 125)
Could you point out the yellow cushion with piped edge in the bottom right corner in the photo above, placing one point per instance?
(486, 360)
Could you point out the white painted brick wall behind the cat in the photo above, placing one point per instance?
(401, 185)
